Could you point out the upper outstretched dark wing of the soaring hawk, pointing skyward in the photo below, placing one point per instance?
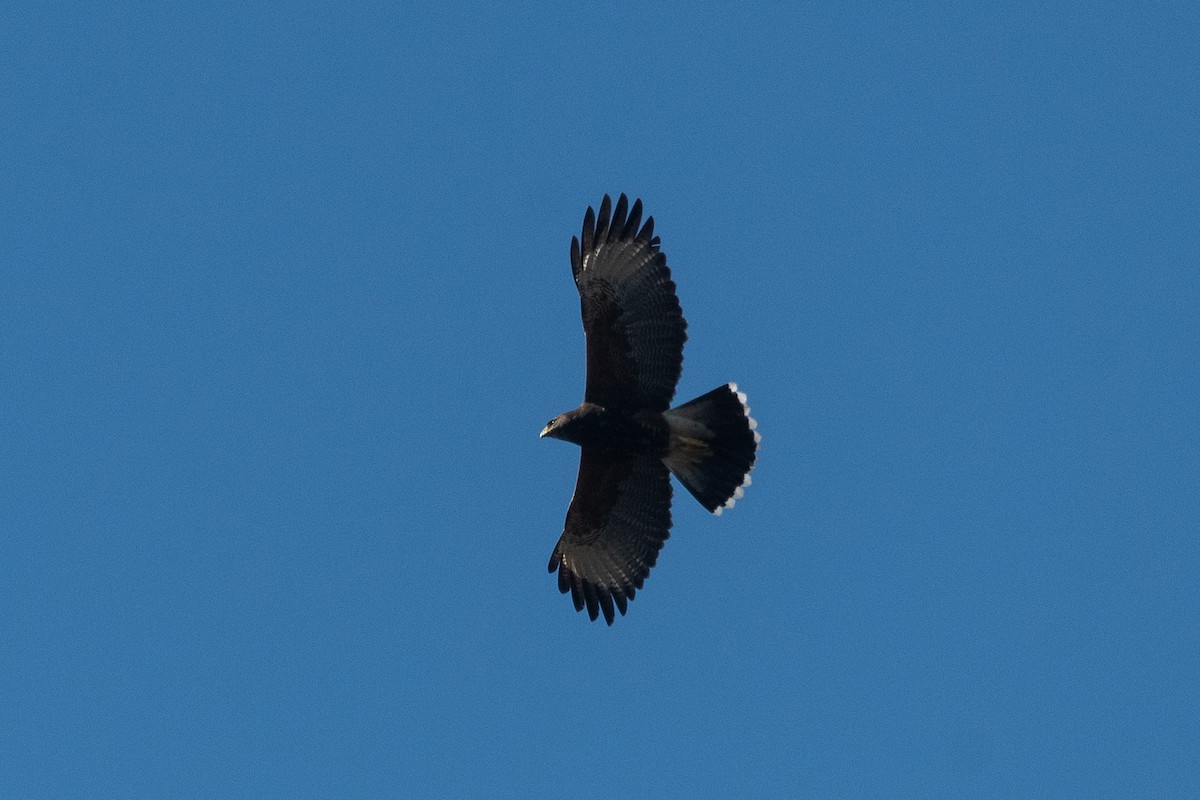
(632, 317)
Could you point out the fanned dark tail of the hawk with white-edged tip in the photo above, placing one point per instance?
(713, 447)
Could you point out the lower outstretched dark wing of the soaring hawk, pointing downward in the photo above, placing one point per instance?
(619, 520)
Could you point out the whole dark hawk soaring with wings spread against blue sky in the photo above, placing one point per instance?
(631, 438)
